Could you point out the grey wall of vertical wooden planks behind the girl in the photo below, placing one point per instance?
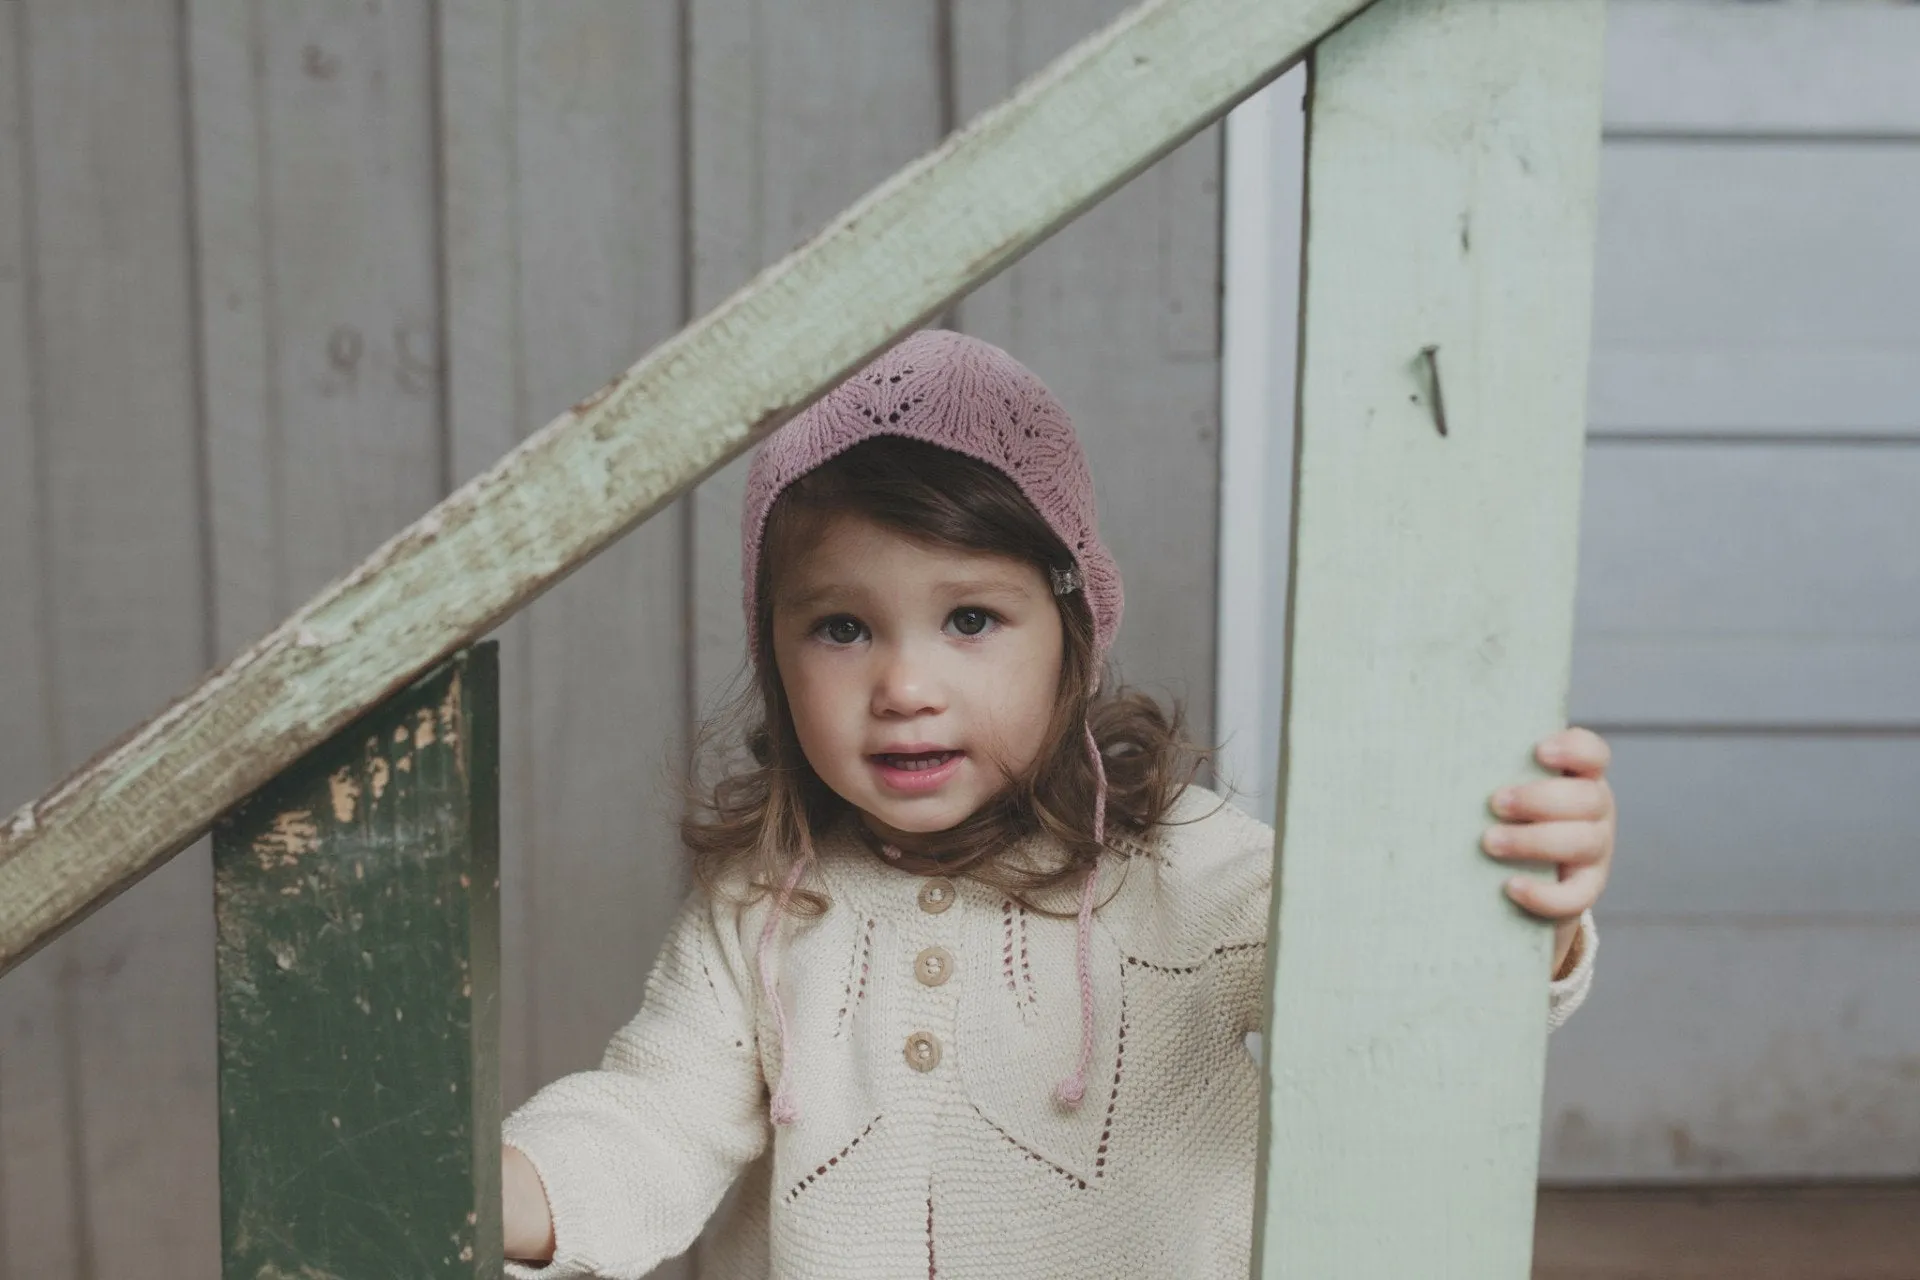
(274, 277)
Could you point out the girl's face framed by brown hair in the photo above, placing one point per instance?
(919, 676)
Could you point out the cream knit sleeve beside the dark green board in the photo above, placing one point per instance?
(638, 1154)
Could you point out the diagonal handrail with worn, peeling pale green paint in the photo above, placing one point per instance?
(924, 237)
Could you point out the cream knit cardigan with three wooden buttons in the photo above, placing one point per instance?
(930, 1022)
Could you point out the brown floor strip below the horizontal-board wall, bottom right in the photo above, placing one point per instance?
(1779, 1233)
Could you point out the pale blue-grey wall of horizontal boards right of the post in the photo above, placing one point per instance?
(1750, 602)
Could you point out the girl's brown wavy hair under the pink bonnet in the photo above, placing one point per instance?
(767, 809)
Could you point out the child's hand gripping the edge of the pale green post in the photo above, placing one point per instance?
(1564, 820)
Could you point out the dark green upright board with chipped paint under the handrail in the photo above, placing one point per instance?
(360, 997)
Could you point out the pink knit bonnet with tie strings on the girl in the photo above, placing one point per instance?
(972, 398)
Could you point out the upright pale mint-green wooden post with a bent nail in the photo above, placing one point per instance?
(1451, 204)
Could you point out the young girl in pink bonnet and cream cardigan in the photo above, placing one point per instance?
(969, 980)
